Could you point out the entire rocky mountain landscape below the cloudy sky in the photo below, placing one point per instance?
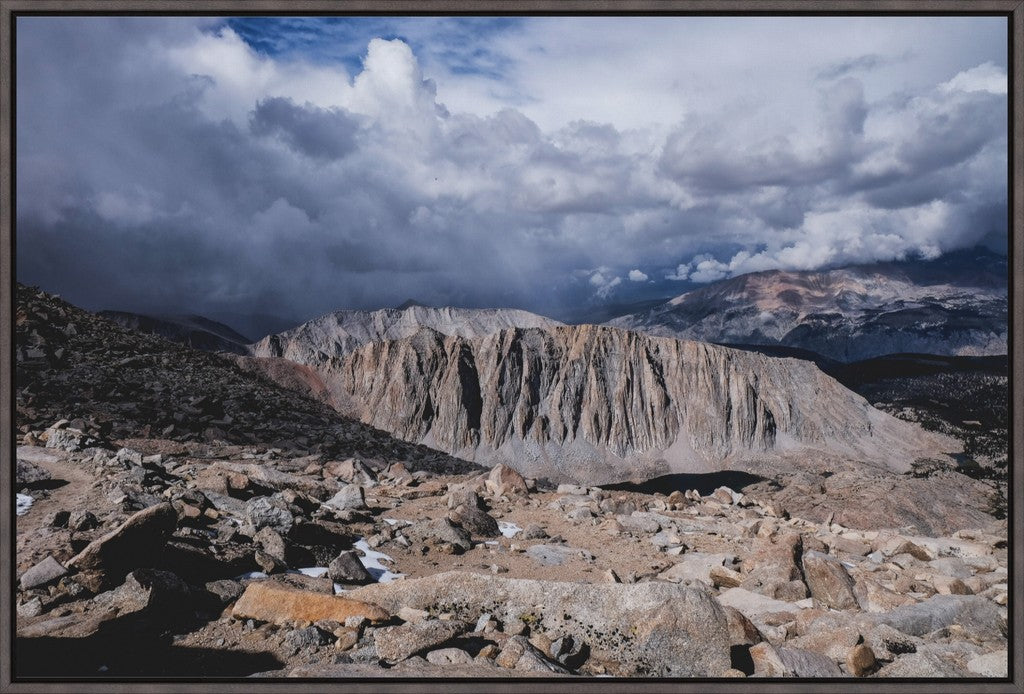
(780, 474)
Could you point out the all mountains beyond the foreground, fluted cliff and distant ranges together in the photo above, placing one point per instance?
(647, 395)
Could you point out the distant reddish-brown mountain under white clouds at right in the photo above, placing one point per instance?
(956, 306)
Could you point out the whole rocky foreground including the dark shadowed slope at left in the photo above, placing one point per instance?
(181, 516)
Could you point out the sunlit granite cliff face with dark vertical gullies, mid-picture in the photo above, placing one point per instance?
(599, 405)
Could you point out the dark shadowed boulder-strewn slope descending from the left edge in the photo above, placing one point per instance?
(112, 382)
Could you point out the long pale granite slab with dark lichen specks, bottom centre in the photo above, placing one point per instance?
(649, 629)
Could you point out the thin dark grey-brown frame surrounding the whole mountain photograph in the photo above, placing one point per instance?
(11, 11)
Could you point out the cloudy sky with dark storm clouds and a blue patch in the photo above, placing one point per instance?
(291, 166)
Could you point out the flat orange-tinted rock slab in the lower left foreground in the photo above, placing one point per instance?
(280, 605)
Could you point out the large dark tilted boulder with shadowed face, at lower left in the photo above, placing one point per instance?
(137, 543)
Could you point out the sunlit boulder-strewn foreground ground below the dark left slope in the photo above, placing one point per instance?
(234, 560)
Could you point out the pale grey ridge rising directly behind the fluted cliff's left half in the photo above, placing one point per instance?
(335, 335)
